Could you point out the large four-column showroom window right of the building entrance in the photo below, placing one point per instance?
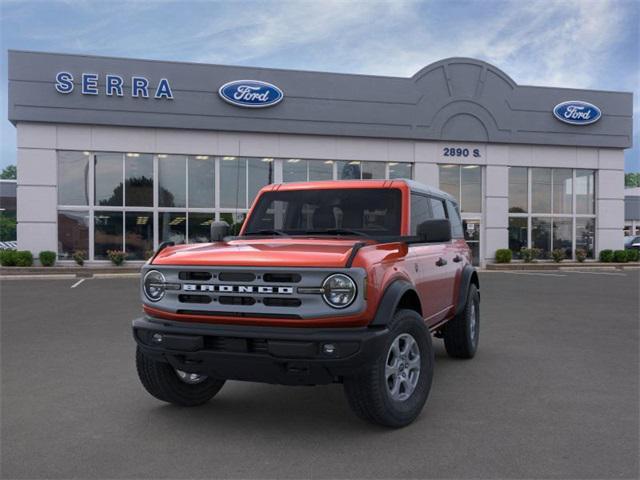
(561, 213)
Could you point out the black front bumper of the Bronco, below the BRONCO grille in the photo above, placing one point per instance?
(282, 355)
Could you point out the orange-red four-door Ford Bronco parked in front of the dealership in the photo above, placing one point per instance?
(326, 282)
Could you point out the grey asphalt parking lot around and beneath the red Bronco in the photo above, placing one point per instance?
(552, 393)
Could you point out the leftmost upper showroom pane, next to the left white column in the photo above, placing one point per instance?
(73, 178)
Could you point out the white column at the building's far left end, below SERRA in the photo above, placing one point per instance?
(37, 188)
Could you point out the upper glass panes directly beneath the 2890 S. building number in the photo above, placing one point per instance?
(464, 183)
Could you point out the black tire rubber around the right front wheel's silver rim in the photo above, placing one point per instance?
(368, 393)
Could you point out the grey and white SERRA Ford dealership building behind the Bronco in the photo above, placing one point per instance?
(123, 154)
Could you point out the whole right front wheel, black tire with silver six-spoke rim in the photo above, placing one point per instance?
(393, 389)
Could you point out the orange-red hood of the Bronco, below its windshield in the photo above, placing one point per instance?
(276, 252)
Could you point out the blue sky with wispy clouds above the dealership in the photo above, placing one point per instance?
(568, 43)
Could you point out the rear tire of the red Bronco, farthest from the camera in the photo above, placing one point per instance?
(460, 339)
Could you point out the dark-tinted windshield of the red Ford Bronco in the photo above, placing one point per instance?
(360, 212)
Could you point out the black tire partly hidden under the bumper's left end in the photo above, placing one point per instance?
(162, 381)
